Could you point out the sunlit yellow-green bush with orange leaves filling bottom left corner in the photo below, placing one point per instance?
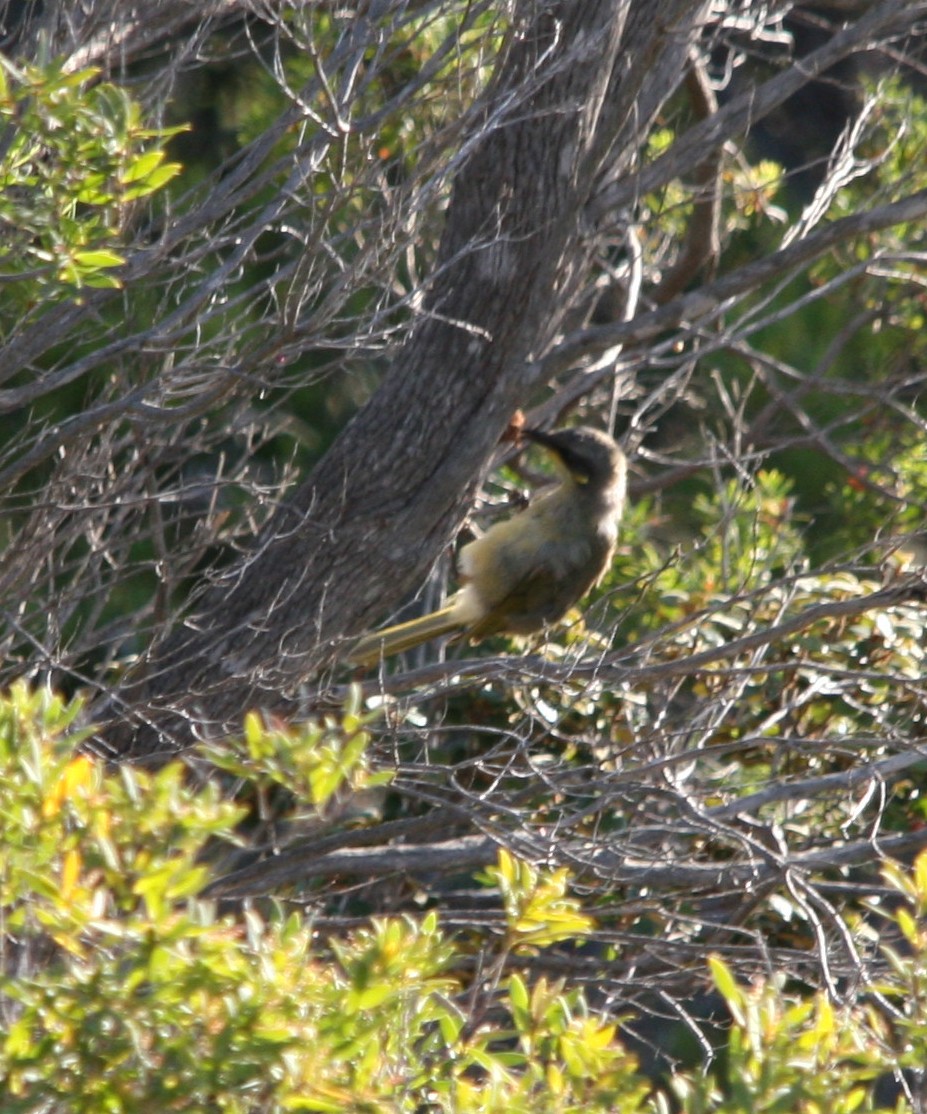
(123, 992)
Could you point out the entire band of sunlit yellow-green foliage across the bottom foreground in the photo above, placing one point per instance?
(124, 992)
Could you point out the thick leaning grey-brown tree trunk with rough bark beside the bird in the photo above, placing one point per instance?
(574, 89)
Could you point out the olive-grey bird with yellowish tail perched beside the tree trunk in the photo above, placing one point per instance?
(525, 573)
